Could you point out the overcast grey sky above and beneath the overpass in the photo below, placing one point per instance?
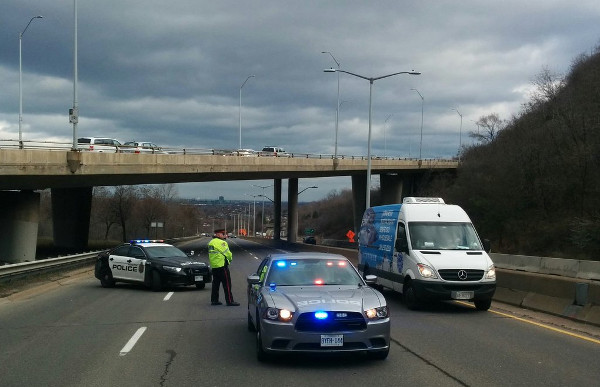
(170, 72)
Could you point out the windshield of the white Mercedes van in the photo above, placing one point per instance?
(443, 236)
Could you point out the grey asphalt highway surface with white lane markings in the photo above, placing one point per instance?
(75, 333)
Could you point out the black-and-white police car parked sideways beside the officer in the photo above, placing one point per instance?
(152, 262)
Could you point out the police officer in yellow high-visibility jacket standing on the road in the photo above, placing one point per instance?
(220, 257)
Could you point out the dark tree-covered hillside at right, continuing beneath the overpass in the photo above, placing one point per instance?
(531, 184)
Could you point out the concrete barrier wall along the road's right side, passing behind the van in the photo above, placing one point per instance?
(563, 287)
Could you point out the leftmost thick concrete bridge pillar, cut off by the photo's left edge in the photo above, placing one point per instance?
(19, 218)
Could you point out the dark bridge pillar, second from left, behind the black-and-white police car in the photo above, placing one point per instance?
(71, 208)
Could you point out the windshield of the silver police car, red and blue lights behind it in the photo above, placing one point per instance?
(305, 272)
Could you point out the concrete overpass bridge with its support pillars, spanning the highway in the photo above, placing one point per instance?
(71, 175)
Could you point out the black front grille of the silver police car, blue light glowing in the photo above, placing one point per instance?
(351, 321)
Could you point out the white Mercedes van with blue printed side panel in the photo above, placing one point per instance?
(426, 250)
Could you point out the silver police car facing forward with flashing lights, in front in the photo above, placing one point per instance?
(316, 303)
